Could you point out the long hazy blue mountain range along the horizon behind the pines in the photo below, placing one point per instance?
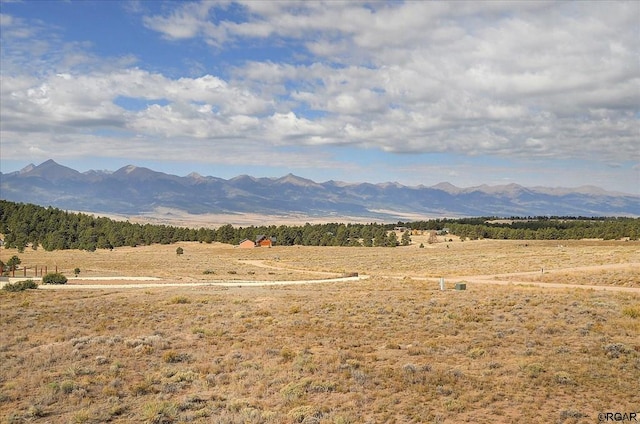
(133, 190)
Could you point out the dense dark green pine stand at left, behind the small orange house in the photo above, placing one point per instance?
(54, 229)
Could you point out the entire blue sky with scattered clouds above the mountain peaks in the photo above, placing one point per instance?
(416, 92)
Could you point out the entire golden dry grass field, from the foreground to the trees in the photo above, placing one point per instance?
(390, 348)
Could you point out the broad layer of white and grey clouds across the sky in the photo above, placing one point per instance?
(524, 79)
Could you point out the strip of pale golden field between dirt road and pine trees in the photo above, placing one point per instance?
(216, 261)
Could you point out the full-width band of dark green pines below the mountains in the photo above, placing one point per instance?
(53, 229)
